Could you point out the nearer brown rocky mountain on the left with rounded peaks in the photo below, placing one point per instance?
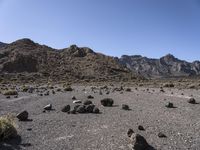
(27, 60)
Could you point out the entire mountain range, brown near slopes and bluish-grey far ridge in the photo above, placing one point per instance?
(24, 58)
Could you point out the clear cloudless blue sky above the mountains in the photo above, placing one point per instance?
(151, 28)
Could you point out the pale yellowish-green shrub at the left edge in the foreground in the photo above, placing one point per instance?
(7, 128)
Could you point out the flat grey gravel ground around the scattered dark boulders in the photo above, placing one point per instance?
(55, 130)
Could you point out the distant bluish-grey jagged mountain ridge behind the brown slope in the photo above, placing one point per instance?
(167, 66)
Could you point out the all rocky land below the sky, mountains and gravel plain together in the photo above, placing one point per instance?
(77, 99)
